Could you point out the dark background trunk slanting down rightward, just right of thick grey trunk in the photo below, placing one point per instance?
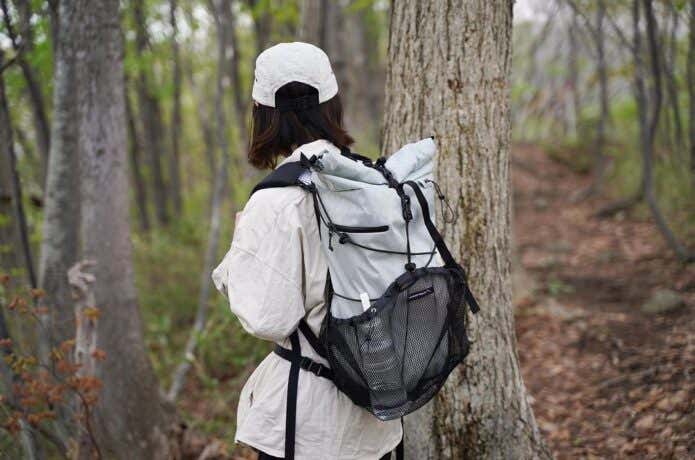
(151, 117)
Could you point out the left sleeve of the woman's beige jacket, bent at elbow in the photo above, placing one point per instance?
(262, 273)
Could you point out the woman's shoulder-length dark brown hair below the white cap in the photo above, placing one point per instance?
(276, 132)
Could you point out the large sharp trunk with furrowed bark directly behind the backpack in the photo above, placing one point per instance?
(448, 77)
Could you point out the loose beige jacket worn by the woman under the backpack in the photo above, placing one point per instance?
(274, 274)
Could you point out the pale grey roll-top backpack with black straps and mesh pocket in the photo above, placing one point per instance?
(396, 298)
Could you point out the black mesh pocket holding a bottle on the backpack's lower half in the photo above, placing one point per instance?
(396, 355)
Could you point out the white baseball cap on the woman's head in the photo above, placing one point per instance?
(288, 62)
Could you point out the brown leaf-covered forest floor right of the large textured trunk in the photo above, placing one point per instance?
(607, 378)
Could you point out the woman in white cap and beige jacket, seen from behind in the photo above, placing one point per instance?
(274, 273)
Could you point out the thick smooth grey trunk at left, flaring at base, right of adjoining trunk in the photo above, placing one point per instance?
(131, 418)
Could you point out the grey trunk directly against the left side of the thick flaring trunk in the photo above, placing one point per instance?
(61, 211)
